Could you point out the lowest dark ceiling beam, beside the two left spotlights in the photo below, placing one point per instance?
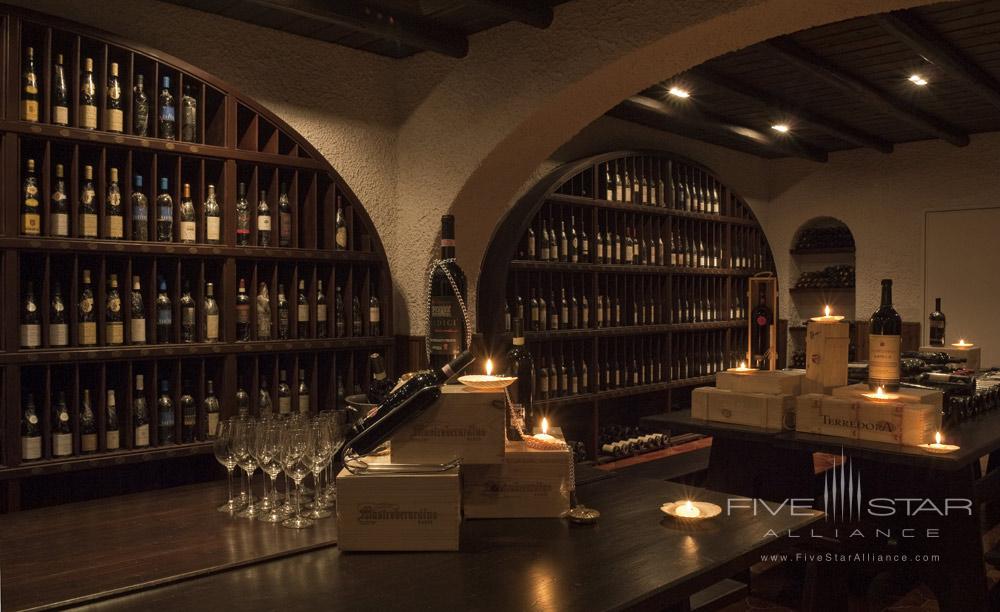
(649, 110)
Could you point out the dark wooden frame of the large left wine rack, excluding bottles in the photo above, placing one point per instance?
(237, 141)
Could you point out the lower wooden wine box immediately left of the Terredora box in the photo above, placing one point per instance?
(768, 411)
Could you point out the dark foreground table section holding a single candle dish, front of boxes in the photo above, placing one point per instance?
(634, 555)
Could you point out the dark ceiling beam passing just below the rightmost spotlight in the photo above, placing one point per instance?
(809, 62)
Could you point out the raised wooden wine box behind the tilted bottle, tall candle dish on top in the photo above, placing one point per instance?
(463, 424)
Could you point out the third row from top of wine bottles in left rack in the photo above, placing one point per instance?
(163, 329)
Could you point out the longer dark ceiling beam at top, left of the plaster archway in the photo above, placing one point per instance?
(362, 17)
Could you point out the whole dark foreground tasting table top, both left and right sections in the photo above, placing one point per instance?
(635, 557)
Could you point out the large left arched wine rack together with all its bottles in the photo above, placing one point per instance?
(161, 227)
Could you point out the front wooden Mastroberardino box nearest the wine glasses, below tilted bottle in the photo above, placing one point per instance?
(398, 512)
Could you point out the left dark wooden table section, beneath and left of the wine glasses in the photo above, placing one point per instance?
(78, 552)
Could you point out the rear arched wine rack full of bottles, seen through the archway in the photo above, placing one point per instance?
(629, 270)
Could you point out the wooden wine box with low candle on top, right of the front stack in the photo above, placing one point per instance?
(529, 483)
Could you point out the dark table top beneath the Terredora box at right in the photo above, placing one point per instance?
(976, 437)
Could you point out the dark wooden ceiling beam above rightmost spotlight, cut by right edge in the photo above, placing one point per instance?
(912, 32)
